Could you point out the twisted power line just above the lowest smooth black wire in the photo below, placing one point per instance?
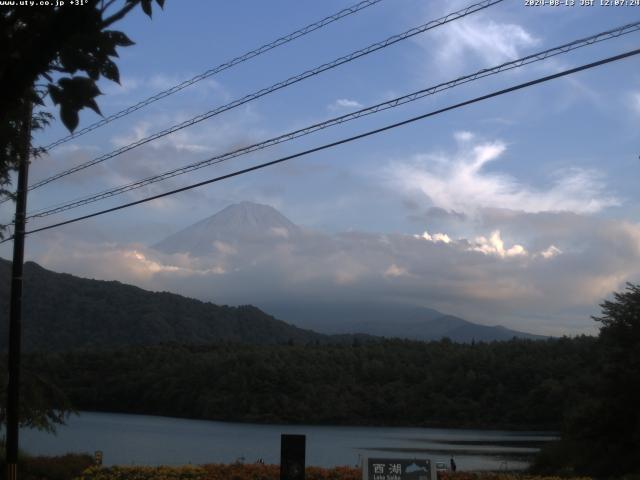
(536, 57)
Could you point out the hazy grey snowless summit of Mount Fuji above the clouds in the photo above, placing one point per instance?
(240, 222)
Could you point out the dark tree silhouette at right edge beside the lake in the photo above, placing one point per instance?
(601, 435)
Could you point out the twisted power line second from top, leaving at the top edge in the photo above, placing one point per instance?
(277, 86)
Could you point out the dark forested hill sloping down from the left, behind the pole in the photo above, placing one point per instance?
(63, 312)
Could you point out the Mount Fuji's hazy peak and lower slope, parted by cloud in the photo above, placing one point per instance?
(254, 232)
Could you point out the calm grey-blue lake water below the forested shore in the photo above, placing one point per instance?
(149, 440)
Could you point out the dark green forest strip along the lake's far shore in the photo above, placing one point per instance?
(520, 383)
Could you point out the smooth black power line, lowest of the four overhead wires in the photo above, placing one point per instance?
(344, 140)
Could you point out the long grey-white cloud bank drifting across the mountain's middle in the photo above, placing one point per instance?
(540, 272)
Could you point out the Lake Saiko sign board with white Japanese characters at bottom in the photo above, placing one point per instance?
(398, 469)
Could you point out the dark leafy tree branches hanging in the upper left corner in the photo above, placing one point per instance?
(60, 52)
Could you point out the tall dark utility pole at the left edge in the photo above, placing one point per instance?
(15, 308)
